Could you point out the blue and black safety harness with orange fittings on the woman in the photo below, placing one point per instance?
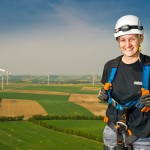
(125, 137)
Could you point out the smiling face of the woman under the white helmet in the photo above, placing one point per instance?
(129, 44)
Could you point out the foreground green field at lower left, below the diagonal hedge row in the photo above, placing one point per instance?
(27, 136)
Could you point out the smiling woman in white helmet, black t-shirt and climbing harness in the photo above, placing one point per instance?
(128, 126)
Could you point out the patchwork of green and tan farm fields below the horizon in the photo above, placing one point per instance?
(61, 100)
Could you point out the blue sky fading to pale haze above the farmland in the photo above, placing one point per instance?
(64, 37)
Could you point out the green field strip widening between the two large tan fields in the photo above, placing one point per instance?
(53, 104)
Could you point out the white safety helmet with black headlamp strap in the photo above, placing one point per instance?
(128, 24)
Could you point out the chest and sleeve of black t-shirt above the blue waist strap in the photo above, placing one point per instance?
(127, 82)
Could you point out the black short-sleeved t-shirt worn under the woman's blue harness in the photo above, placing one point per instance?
(126, 87)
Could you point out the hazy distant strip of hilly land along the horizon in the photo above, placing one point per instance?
(57, 79)
